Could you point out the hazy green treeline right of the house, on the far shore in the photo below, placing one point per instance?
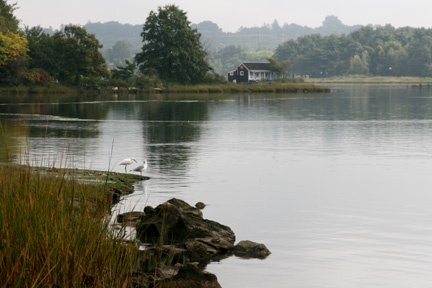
(380, 51)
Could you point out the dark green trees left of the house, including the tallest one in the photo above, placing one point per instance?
(171, 53)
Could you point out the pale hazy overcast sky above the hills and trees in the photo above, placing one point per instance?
(230, 15)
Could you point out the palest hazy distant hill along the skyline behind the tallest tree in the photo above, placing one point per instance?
(266, 37)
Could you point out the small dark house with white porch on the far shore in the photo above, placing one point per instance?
(251, 72)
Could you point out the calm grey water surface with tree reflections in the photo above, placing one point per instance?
(336, 185)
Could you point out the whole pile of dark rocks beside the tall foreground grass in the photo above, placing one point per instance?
(177, 234)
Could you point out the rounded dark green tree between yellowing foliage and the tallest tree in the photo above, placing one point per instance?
(77, 55)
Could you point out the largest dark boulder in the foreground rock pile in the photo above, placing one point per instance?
(177, 223)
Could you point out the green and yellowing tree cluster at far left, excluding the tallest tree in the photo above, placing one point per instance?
(32, 57)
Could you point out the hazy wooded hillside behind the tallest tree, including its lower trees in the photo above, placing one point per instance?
(226, 50)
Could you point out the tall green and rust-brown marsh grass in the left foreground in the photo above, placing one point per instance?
(53, 233)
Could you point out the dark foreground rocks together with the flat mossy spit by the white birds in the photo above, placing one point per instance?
(178, 241)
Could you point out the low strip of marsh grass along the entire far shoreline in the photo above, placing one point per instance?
(307, 85)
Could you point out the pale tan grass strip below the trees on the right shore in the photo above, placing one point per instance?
(361, 79)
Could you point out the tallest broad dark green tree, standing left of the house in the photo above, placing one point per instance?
(172, 49)
